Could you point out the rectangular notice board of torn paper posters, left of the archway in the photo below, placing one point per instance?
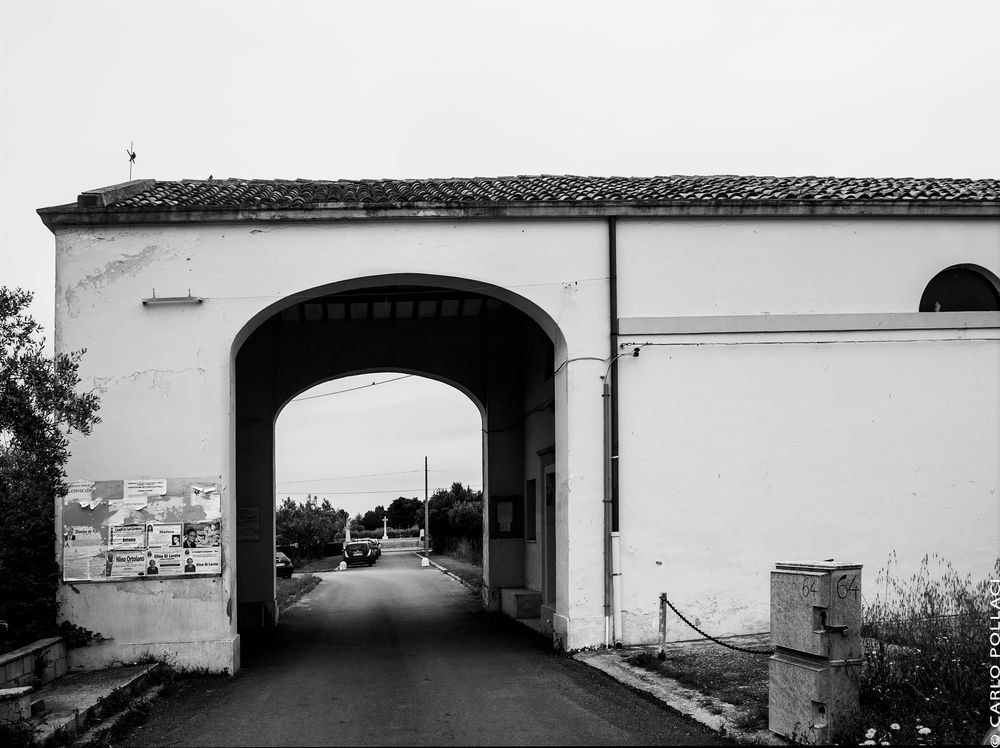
(138, 528)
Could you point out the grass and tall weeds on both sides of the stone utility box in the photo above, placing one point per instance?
(924, 680)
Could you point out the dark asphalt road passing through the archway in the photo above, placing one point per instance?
(396, 654)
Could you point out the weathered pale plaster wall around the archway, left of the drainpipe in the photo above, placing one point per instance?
(165, 373)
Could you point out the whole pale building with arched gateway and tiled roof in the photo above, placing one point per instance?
(789, 397)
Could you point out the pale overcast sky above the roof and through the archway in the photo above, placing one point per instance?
(328, 90)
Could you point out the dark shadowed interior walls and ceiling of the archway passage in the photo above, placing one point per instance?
(495, 346)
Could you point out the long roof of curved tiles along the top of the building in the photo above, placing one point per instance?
(250, 194)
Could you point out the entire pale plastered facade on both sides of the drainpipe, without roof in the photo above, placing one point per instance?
(737, 450)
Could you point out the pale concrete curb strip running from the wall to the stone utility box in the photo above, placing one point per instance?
(678, 697)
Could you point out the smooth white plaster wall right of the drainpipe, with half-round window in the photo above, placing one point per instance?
(741, 450)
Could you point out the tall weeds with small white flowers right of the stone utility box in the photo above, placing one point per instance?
(924, 679)
